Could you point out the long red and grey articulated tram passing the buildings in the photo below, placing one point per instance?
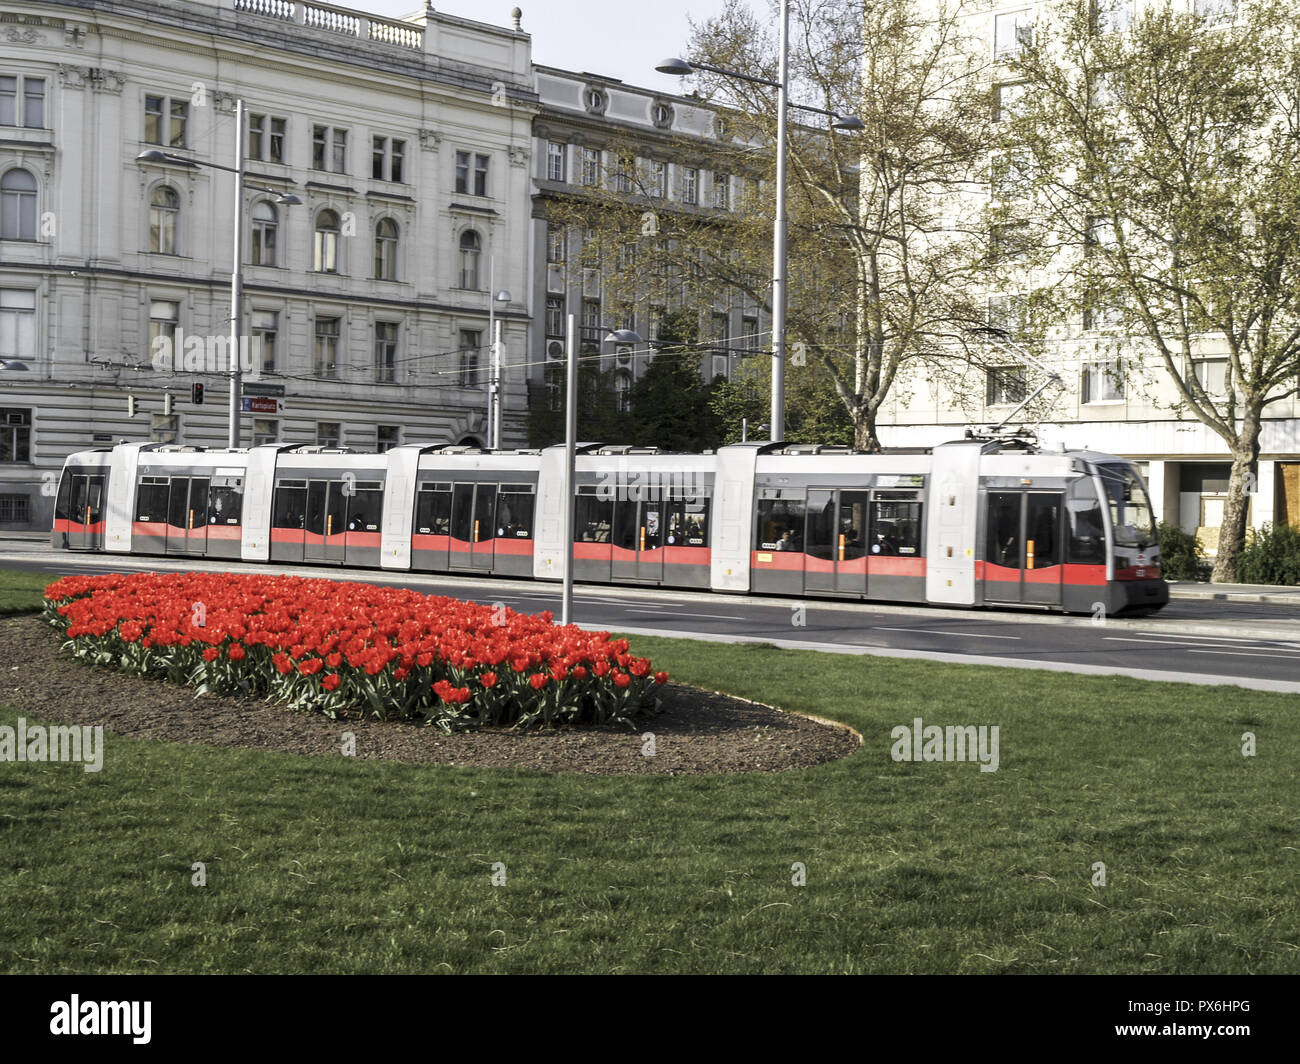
(978, 522)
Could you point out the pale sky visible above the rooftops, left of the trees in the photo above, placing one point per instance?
(618, 40)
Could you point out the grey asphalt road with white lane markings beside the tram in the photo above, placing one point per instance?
(1249, 645)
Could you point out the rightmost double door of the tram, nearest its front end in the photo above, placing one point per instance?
(1022, 548)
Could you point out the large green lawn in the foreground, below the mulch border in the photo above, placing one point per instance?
(337, 866)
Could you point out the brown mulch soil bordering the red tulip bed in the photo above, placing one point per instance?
(695, 732)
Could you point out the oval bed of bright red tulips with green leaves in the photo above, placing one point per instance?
(340, 647)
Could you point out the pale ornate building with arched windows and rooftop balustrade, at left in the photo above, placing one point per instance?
(366, 305)
